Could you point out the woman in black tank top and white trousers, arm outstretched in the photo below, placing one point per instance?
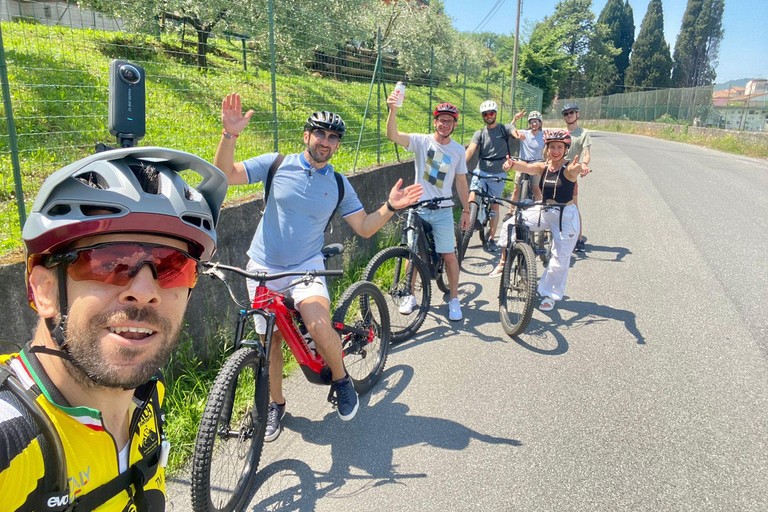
(558, 179)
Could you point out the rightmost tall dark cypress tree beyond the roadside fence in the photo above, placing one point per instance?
(698, 43)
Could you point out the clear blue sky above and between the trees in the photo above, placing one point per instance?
(743, 50)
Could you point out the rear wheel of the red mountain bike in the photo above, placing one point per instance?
(365, 339)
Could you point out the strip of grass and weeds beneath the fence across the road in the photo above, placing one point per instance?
(727, 142)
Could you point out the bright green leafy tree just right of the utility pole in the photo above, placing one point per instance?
(542, 63)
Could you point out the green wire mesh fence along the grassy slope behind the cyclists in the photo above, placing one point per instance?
(57, 62)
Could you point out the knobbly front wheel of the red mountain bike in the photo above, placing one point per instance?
(231, 435)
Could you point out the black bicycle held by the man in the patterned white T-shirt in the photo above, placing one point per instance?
(404, 272)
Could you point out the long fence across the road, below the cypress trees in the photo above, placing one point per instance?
(693, 105)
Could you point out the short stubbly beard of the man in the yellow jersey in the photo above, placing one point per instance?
(91, 365)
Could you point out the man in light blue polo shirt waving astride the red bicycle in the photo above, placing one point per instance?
(303, 196)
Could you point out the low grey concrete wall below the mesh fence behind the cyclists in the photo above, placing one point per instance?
(210, 306)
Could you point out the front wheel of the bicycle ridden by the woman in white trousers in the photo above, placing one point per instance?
(517, 289)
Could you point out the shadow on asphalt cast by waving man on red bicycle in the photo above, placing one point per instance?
(362, 450)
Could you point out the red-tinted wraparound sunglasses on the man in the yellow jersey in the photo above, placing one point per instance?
(119, 262)
